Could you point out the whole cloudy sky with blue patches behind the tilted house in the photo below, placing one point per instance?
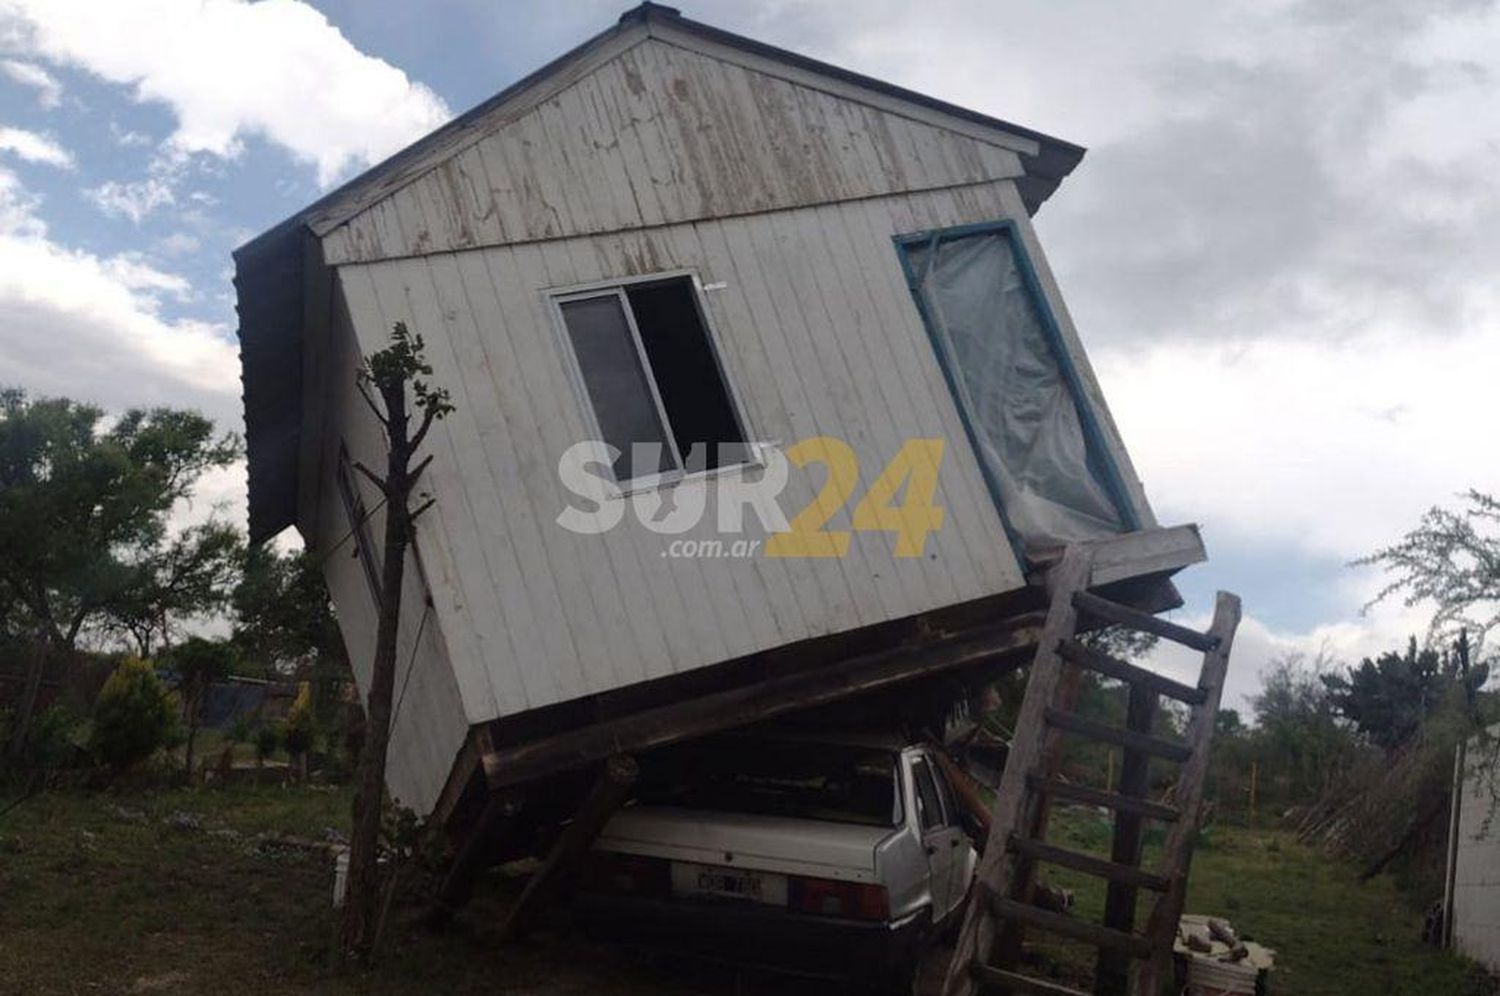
(1282, 248)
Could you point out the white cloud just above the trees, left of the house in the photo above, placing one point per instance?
(94, 328)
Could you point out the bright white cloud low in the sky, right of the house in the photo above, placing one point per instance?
(1331, 449)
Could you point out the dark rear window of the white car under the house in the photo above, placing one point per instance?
(803, 781)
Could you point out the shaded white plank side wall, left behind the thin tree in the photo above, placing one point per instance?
(430, 722)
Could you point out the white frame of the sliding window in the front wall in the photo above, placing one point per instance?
(557, 298)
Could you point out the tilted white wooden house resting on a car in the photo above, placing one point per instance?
(676, 236)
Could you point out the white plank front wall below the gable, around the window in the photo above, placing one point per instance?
(820, 338)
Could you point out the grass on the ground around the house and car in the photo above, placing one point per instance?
(109, 895)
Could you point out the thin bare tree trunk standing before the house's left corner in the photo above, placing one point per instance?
(362, 904)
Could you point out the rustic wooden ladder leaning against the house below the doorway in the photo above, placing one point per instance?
(988, 953)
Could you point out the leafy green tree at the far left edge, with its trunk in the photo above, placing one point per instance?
(82, 503)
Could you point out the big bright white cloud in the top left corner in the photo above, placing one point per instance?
(232, 71)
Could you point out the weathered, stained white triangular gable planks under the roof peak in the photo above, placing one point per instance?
(656, 136)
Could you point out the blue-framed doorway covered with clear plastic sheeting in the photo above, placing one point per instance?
(1018, 389)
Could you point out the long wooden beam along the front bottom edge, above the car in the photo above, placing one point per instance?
(739, 707)
